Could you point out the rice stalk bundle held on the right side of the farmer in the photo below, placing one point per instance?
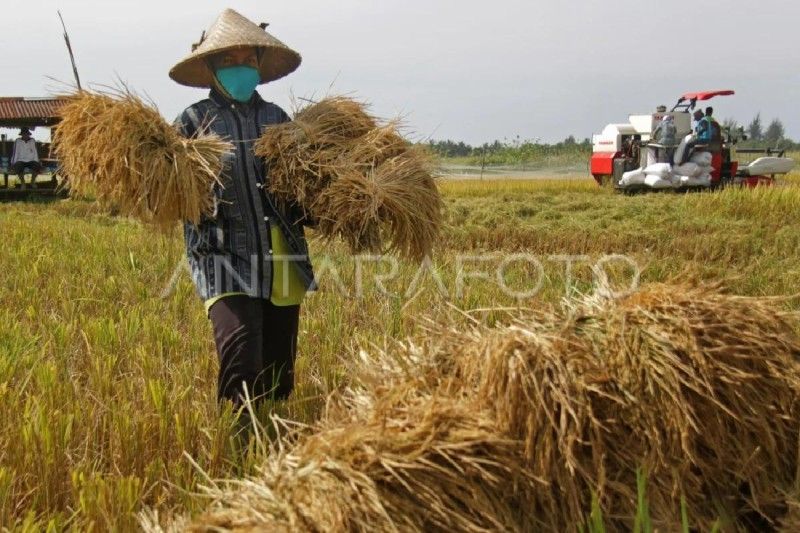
(361, 181)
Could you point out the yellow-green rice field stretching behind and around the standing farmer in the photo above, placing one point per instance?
(107, 367)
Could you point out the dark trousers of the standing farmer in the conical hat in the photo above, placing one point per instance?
(256, 344)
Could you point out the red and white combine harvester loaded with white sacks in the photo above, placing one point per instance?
(624, 156)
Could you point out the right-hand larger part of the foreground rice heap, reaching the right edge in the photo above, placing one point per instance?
(698, 389)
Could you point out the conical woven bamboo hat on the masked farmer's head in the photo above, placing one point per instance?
(231, 30)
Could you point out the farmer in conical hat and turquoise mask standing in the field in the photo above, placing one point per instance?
(249, 261)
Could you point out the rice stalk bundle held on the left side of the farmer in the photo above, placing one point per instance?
(118, 149)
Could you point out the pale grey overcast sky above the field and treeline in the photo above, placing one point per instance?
(459, 69)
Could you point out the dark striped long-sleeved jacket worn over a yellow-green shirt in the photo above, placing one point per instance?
(232, 251)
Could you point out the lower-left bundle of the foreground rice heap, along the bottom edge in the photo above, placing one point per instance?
(417, 463)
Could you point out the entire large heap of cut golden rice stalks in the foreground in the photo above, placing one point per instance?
(517, 427)
